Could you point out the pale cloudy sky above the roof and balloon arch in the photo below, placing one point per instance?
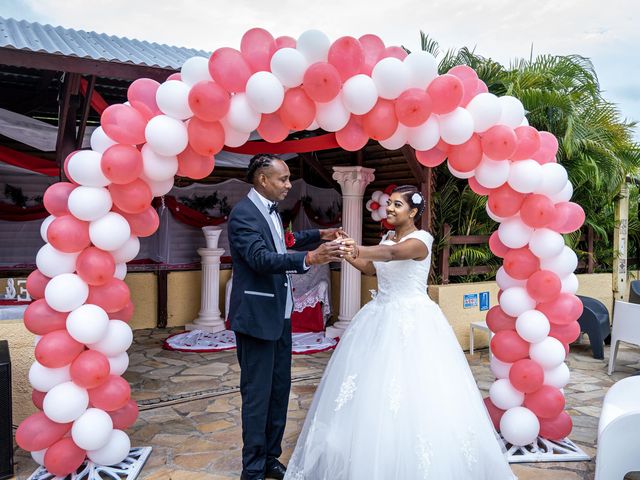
(608, 32)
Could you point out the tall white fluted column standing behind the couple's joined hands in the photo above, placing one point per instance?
(353, 181)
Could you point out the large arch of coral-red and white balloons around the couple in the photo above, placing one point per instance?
(357, 88)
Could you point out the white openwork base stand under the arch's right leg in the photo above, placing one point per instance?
(544, 450)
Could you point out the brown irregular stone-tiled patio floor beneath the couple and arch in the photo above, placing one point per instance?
(190, 409)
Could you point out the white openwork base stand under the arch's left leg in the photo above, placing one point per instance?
(128, 469)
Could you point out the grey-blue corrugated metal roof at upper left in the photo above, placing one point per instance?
(23, 35)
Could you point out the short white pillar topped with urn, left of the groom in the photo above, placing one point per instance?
(209, 318)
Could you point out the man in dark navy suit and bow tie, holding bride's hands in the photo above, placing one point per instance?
(260, 310)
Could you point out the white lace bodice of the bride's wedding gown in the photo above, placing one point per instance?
(402, 278)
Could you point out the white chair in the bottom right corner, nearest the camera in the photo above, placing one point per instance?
(619, 431)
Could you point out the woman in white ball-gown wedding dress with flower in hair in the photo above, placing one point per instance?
(398, 400)
